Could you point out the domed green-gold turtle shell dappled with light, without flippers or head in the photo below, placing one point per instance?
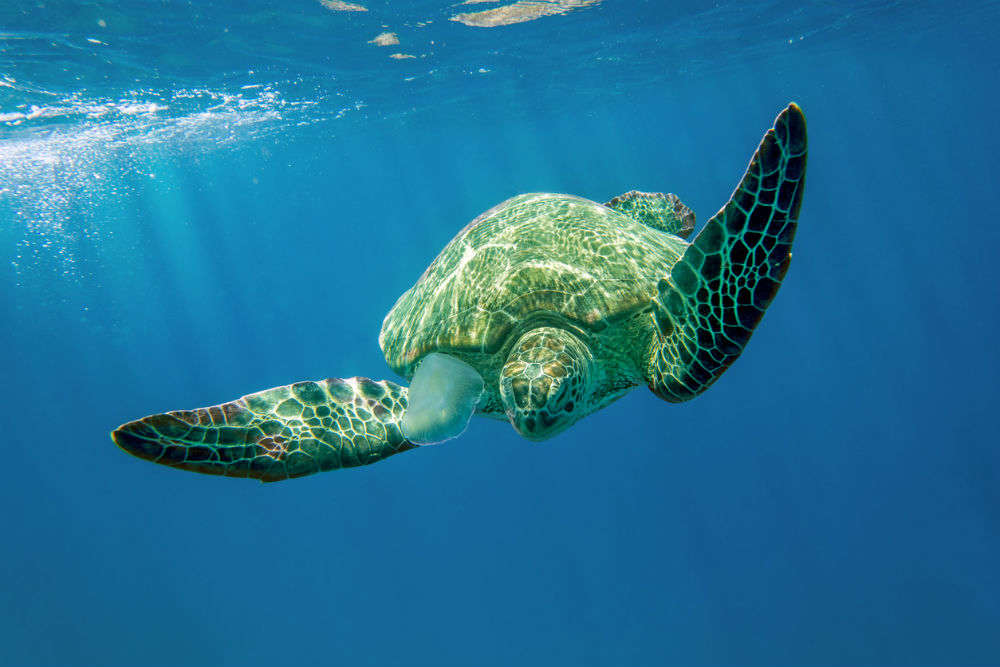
(532, 260)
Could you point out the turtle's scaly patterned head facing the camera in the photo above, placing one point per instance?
(544, 382)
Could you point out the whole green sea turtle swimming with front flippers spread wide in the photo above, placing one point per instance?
(542, 310)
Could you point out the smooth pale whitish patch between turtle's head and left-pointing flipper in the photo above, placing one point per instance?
(442, 399)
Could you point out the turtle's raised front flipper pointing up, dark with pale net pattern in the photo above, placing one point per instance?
(707, 308)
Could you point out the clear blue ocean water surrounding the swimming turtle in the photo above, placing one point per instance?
(203, 199)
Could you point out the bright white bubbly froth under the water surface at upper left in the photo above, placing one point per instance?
(78, 150)
